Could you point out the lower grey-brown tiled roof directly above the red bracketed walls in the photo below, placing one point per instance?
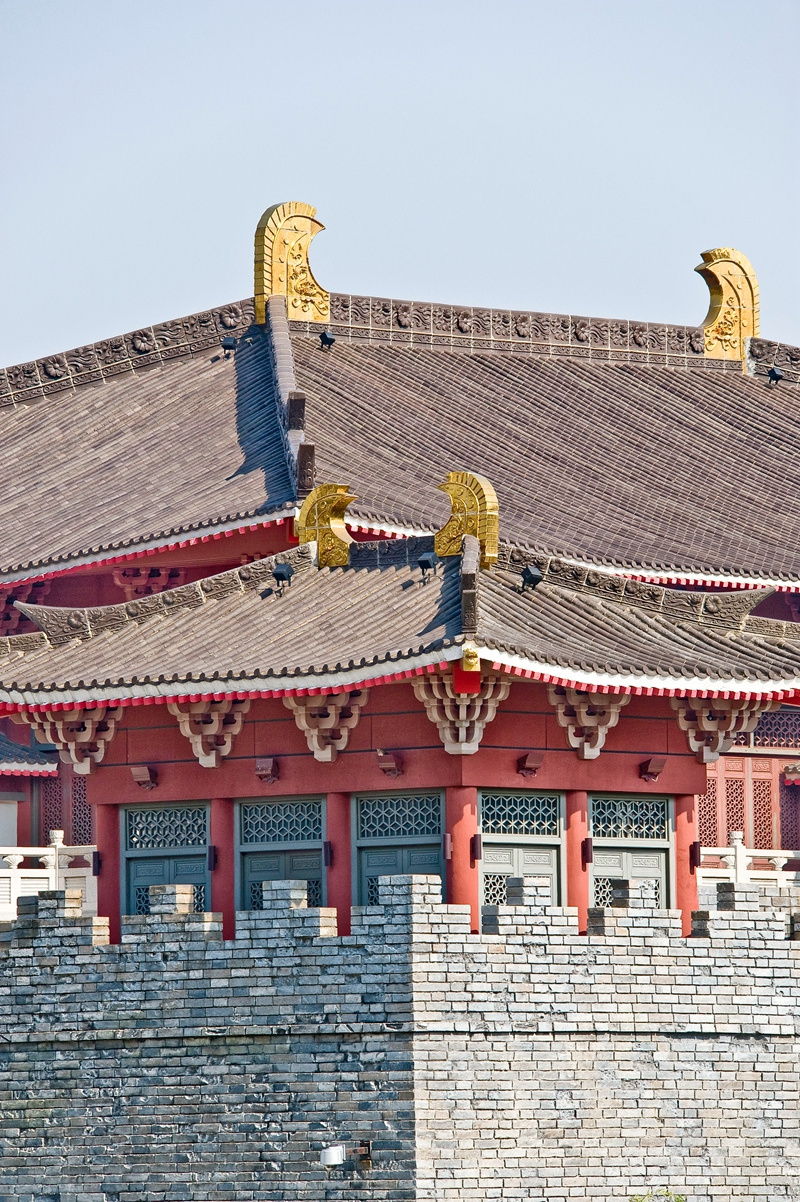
(240, 633)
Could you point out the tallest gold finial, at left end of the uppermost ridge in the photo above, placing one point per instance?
(283, 240)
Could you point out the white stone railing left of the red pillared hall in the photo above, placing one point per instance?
(57, 870)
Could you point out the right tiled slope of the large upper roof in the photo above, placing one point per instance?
(655, 468)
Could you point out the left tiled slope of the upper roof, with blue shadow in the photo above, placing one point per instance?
(151, 447)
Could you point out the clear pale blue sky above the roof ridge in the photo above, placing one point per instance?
(566, 157)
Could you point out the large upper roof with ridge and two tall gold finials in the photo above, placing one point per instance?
(637, 447)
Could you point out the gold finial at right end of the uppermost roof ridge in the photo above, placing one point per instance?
(733, 313)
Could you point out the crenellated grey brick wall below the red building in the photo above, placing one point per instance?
(526, 1063)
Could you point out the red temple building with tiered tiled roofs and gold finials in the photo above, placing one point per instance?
(324, 588)
